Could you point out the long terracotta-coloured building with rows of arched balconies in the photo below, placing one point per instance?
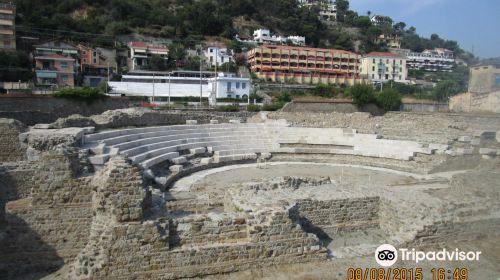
(304, 65)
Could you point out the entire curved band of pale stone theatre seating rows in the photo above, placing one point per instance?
(149, 146)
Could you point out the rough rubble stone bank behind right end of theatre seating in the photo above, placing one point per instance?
(424, 127)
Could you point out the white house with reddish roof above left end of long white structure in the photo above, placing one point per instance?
(141, 52)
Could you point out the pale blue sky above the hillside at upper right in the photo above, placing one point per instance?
(473, 23)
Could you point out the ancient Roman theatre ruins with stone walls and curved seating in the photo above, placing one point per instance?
(142, 194)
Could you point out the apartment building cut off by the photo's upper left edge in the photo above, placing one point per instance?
(7, 26)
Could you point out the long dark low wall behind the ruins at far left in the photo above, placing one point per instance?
(31, 109)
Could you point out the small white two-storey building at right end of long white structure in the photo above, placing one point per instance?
(229, 86)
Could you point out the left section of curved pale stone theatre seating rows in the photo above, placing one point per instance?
(150, 146)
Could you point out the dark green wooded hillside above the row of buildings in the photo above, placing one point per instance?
(191, 21)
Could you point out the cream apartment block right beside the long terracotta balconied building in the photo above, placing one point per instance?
(380, 67)
